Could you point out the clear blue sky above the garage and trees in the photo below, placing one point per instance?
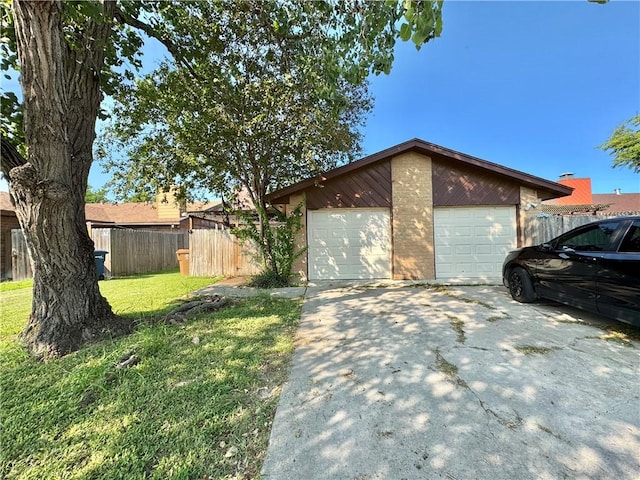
(533, 86)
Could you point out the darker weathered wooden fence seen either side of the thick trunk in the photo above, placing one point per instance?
(130, 251)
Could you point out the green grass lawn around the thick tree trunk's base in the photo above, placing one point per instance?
(197, 405)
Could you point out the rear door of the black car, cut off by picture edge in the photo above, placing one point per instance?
(618, 282)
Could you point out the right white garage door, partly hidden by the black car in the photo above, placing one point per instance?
(472, 242)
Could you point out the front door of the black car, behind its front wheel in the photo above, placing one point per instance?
(569, 271)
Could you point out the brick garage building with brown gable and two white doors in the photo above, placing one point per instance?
(413, 211)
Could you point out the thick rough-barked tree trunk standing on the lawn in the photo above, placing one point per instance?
(61, 92)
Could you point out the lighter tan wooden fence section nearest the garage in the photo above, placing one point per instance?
(218, 252)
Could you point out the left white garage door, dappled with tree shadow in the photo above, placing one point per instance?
(349, 244)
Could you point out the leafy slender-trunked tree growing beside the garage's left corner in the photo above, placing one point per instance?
(272, 92)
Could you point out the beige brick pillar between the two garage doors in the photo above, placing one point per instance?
(413, 252)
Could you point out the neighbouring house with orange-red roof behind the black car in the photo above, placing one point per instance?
(583, 201)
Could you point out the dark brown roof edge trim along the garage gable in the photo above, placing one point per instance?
(546, 188)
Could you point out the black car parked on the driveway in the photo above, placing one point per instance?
(594, 267)
